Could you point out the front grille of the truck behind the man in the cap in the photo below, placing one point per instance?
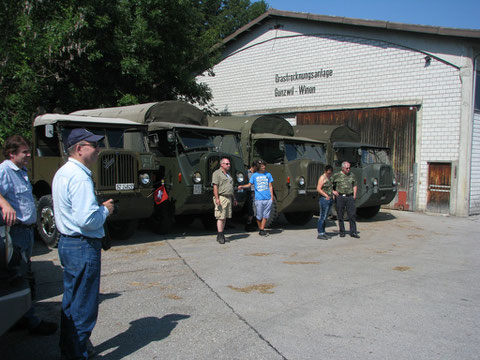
(116, 169)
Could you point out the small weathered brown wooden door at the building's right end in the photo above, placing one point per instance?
(439, 181)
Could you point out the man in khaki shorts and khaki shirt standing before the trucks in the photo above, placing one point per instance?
(223, 194)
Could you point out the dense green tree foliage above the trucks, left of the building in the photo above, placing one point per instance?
(75, 54)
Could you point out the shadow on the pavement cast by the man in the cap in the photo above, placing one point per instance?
(141, 333)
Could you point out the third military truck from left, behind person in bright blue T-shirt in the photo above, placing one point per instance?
(295, 163)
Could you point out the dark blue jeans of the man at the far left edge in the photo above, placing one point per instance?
(22, 238)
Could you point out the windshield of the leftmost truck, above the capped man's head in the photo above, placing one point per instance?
(132, 139)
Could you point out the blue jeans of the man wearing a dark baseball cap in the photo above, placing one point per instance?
(81, 261)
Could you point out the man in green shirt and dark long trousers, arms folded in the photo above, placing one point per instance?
(345, 191)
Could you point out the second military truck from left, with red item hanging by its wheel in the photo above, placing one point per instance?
(187, 152)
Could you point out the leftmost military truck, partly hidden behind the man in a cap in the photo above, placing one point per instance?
(124, 170)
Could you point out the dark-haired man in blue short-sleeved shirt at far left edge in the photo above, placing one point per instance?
(18, 211)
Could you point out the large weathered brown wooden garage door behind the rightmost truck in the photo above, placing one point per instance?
(394, 127)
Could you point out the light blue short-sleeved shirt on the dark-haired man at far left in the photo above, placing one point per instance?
(15, 187)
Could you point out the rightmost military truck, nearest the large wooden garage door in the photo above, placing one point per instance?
(376, 183)
